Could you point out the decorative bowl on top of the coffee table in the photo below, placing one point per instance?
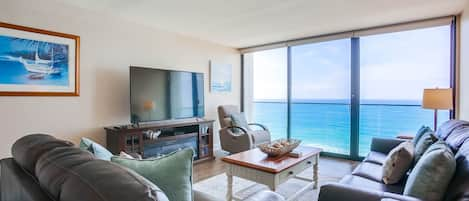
(279, 147)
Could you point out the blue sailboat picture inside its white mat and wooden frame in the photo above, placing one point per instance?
(33, 62)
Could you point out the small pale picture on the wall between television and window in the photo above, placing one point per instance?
(220, 77)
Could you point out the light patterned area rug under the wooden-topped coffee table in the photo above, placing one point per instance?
(217, 186)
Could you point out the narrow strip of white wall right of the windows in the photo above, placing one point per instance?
(464, 65)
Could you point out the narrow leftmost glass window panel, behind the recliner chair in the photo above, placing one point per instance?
(265, 90)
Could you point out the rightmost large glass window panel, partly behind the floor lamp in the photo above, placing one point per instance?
(394, 70)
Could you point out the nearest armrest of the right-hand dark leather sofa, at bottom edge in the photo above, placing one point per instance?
(336, 191)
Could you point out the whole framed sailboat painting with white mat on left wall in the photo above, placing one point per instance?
(36, 62)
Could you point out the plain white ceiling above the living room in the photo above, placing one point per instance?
(243, 23)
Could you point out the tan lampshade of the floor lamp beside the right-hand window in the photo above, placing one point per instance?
(441, 99)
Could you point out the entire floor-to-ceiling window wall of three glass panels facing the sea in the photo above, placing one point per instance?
(338, 92)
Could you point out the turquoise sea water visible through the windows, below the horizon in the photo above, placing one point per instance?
(327, 125)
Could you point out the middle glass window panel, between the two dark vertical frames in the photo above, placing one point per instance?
(320, 95)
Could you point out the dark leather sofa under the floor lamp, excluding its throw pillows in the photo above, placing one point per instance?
(365, 182)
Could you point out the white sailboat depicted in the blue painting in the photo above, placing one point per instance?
(41, 66)
